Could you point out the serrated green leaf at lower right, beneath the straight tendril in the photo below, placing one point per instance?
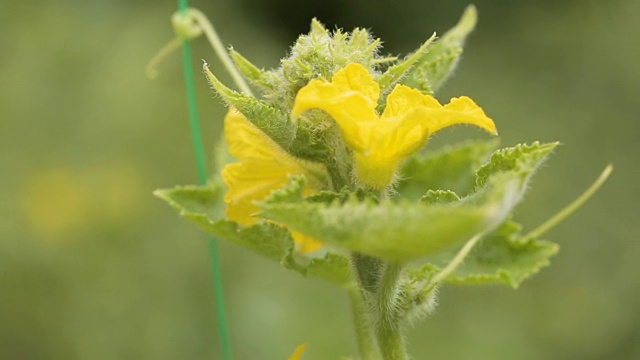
(504, 257)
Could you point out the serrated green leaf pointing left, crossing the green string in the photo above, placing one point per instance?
(201, 205)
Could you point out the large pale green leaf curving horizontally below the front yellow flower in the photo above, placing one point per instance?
(404, 231)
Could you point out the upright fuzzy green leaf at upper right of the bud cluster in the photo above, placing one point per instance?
(435, 67)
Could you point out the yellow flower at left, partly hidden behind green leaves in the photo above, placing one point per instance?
(263, 167)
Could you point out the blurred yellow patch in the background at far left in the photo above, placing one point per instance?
(59, 203)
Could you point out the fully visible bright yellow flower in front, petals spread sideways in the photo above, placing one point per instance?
(381, 142)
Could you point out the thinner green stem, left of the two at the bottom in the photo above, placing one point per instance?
(366, 345)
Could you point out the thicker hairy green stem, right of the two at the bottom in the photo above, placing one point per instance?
(387, 327)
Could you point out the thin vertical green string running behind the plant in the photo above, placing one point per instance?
(202, 175)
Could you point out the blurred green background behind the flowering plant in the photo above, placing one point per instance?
(92, 266)
